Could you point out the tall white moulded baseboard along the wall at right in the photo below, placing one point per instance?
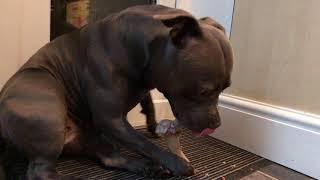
(285, 136)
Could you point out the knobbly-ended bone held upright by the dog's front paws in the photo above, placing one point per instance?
(170, 130)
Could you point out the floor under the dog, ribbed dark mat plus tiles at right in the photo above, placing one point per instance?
(211, 158)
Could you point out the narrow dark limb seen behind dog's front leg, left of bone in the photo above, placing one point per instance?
(148, 109)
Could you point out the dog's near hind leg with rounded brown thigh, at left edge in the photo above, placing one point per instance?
(33, 117)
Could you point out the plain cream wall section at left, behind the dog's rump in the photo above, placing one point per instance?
(24, 28)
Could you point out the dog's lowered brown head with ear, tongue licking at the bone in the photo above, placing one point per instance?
(198, 64)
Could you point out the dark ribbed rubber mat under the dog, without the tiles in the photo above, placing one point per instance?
(211, 158)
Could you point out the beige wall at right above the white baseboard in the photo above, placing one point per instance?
(276, 53)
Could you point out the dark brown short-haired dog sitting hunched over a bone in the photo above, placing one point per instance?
(72, 96)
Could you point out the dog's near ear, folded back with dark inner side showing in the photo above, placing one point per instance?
(182, 26)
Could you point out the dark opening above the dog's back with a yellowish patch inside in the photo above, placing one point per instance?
(67, 15)
